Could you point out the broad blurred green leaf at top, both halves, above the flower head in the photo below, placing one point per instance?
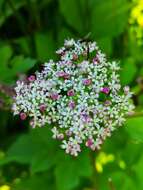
(101, 18)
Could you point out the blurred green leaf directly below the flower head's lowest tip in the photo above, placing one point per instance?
(69, 170)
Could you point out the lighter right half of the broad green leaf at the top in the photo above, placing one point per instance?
(108, 18)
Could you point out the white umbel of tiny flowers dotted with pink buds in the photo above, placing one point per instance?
(79, 96)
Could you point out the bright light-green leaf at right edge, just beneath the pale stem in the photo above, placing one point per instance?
(134, 127)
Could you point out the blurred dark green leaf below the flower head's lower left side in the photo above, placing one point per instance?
(36, 149)
